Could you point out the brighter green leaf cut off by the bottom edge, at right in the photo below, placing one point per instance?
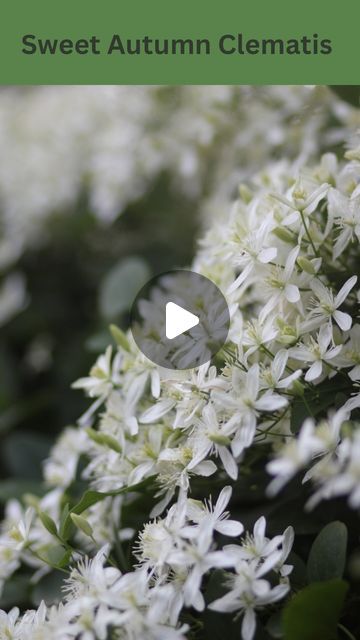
(314, 612)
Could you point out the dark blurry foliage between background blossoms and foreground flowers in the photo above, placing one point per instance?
(84, 278)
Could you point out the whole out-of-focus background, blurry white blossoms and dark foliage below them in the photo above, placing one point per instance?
(83, 265)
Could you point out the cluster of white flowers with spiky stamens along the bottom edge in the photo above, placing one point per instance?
(173, 556)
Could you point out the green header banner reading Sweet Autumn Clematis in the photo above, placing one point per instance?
(180, 42)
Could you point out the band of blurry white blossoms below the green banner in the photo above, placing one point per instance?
(109, 145)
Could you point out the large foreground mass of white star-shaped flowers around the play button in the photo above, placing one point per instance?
(284, 389)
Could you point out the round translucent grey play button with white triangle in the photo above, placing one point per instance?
(180, 319)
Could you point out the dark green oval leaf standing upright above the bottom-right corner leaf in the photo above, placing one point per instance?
(328, 553)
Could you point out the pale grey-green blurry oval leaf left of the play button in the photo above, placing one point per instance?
(120, 286)
